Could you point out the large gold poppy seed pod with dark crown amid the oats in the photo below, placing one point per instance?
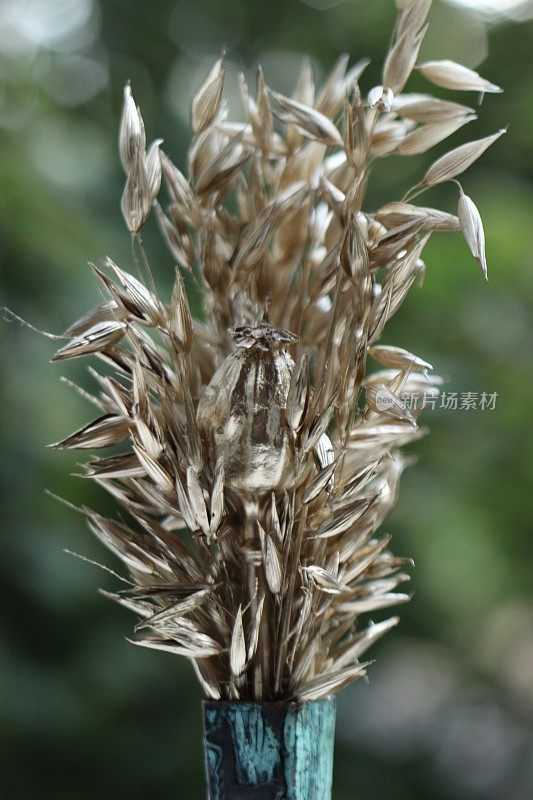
(242, 413)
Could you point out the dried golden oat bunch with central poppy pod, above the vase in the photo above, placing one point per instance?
(260, 456)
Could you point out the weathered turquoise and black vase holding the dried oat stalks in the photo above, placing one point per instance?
(269, 751)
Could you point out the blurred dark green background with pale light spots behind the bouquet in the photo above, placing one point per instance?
(448, 710)
